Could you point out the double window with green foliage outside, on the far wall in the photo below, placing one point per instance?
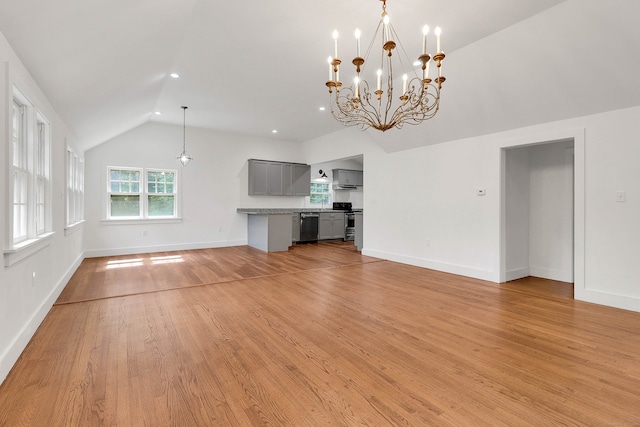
(136, 193)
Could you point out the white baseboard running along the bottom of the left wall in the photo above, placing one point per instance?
(15, 349)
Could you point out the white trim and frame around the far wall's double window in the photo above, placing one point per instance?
(143, 218)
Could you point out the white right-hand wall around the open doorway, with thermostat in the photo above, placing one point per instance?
(422, 208)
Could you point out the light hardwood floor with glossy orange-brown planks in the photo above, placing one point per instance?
(318, 336)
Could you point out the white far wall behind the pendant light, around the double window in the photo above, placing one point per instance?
(213, 186)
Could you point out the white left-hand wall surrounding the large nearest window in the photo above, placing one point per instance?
(25, 300)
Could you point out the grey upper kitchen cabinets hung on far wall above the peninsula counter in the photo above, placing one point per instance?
(267, 178)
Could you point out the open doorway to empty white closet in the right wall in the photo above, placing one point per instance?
(538, 211)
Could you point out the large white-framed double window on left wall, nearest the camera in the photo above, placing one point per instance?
(30, 182)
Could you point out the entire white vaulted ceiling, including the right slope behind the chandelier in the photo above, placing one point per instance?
(254, 66)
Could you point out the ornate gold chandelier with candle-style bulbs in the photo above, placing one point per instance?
(358, 105)
